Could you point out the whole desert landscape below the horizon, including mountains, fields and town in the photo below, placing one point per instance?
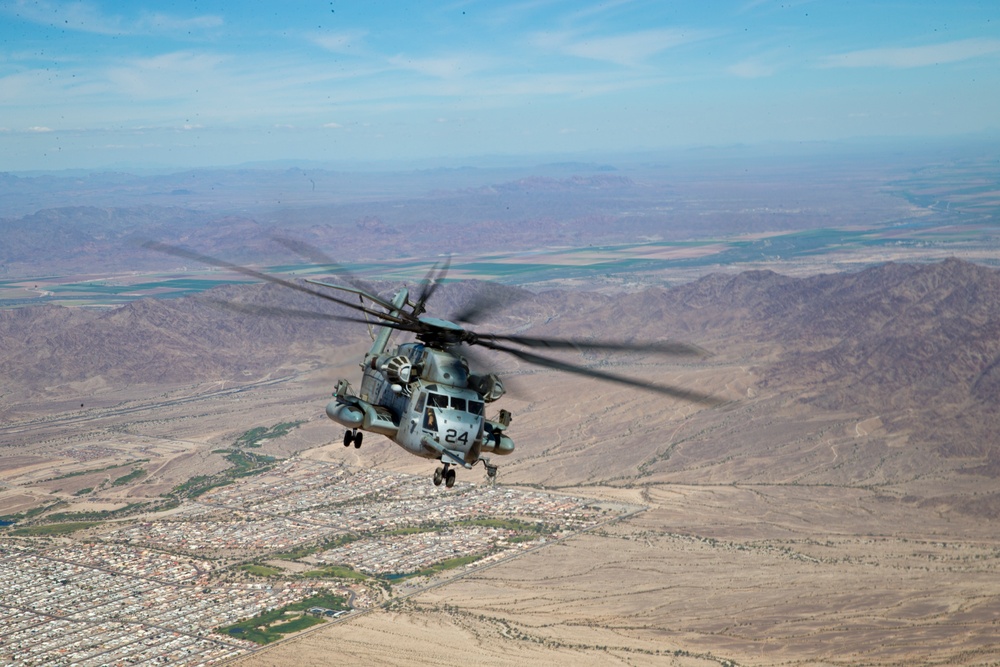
(837, 506)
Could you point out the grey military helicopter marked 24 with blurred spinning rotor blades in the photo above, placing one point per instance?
(422, 394)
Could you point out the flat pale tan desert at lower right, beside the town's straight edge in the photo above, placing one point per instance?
(707, 575)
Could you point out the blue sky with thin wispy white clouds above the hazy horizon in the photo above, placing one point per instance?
(92, 84)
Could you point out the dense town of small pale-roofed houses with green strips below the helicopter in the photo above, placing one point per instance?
(161, 589)
